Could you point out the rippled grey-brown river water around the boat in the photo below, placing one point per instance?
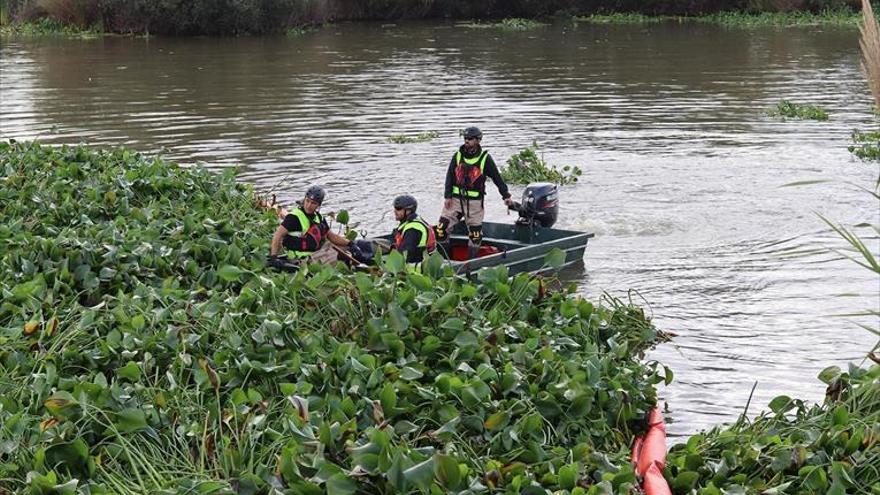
(683, 171)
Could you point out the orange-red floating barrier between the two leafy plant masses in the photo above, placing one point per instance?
(649, 455)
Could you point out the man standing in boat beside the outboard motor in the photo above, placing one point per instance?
(465, 189)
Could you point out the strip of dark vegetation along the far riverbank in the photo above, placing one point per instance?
(278, 16)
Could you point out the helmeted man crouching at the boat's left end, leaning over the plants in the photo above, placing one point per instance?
(304, 233)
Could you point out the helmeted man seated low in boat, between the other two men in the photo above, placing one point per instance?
(412, 237)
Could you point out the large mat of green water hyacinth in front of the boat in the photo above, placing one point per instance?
(145, 348)
